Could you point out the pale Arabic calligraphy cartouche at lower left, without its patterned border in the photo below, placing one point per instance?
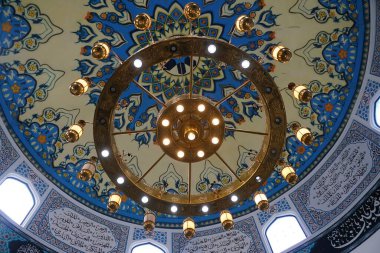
(80, 232)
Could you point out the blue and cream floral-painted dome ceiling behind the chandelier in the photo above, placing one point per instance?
(46, 45)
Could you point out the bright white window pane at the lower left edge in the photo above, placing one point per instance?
(16, 199)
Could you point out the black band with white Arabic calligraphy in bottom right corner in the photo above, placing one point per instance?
(362, 220)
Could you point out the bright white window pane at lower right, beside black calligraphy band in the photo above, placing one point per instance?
(284, 232)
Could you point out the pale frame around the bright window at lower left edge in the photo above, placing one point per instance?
(32, 191)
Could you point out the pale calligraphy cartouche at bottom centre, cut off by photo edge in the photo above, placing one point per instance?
(230, 241)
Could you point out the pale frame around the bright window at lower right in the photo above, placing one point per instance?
(279, 216)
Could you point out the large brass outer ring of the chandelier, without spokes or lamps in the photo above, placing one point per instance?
(160, 201)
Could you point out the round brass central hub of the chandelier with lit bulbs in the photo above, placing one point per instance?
(190, 129)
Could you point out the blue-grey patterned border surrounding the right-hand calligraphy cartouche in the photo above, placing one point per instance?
(316, 219)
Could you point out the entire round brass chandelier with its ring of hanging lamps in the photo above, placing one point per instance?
(190, 128)
